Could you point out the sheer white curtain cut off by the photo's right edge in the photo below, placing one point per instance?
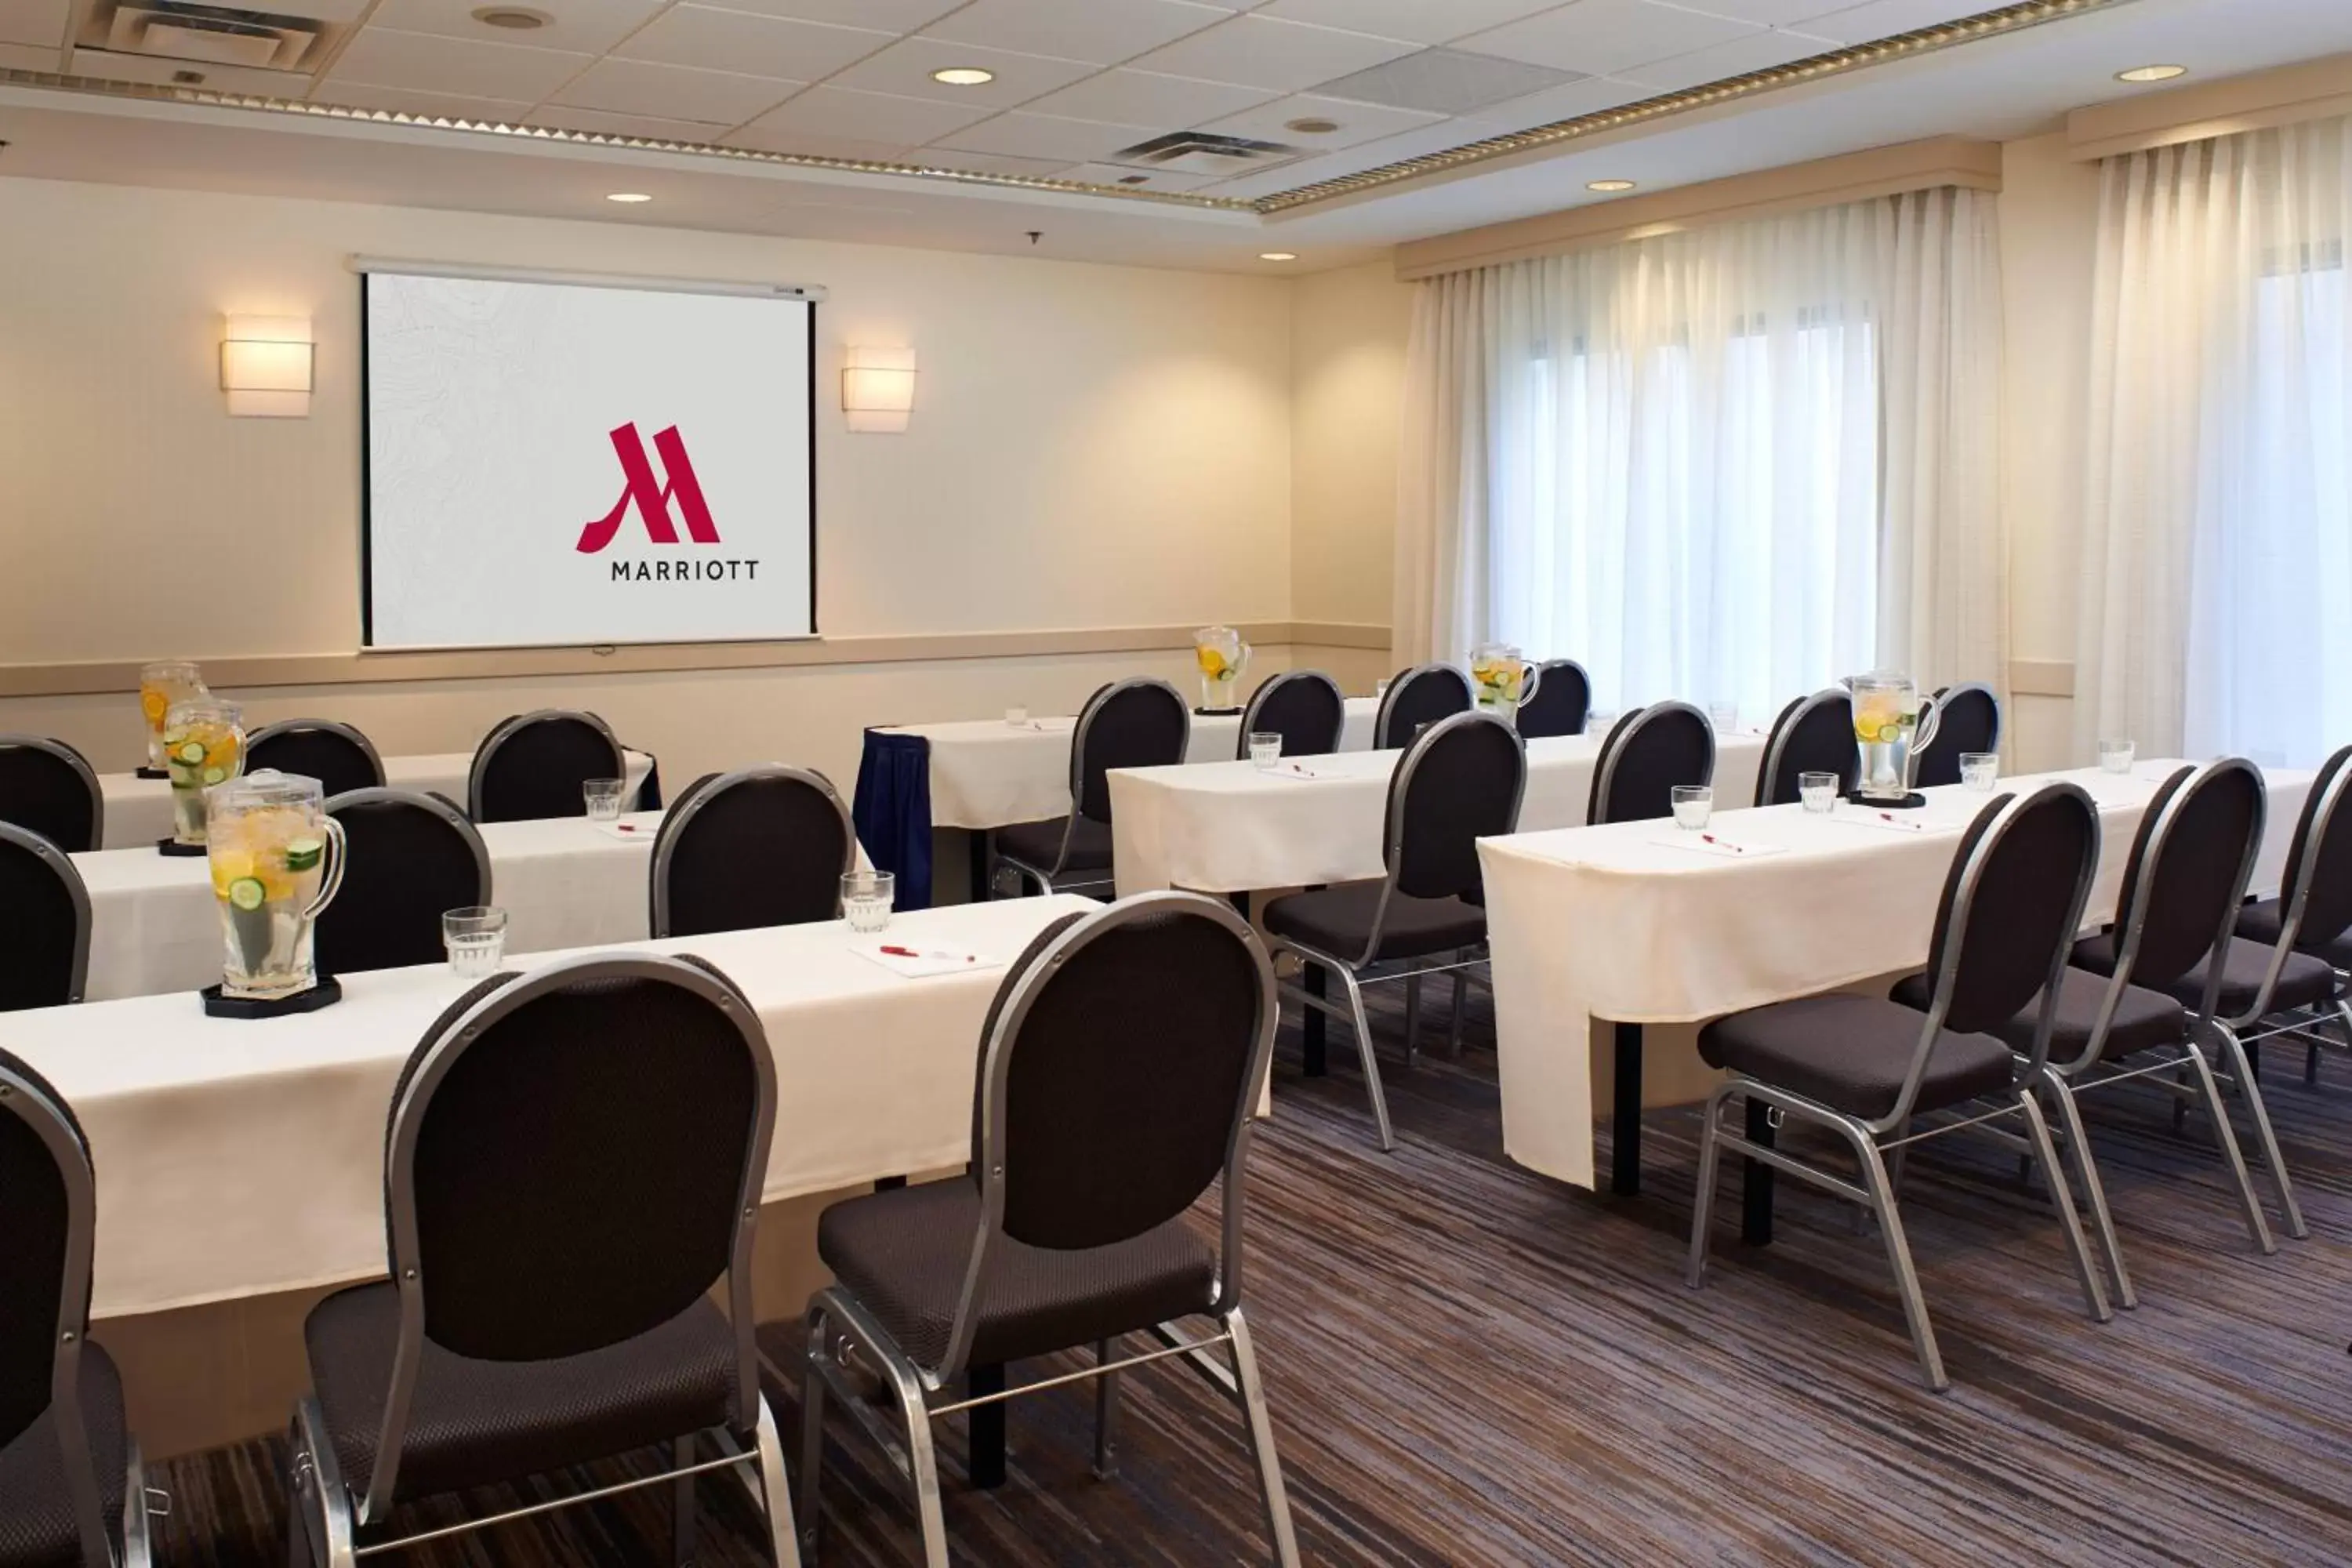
(2219, 523)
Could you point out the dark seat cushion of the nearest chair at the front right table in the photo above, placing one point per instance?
(1852, 1054)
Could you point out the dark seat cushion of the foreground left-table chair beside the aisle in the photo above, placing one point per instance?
(904, 1254)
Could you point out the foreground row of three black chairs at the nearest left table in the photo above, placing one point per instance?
(549, 1306)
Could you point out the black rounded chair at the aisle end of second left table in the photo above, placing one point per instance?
(756, 847)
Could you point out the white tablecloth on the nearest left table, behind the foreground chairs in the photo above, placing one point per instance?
(248, 1158)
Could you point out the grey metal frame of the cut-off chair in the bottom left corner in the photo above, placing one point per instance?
(72, 1155)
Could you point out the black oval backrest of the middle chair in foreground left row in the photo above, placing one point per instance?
(573, 1155)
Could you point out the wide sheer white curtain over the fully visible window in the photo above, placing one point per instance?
(1683, 462)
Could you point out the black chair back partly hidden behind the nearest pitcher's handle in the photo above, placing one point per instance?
(408, 859)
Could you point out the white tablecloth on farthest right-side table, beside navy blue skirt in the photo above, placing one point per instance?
(991, 775)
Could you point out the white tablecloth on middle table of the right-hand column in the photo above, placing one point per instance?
(1234, 829)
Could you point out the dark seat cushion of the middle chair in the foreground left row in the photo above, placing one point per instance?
(479, 1423)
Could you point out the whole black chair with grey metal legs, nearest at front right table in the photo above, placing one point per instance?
(1871, 1068)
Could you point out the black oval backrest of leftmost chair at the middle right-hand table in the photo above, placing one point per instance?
(1459, 782)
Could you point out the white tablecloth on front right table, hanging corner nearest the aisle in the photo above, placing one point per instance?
(1622, 925)
